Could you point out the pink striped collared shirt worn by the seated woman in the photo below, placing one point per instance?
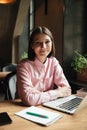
(33, 76)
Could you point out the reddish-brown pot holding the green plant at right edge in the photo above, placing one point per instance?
(82, 76)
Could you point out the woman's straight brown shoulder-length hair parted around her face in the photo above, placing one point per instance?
(38, 30)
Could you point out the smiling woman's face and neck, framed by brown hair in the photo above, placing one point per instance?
(42, 46)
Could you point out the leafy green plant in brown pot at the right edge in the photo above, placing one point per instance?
(79, 65)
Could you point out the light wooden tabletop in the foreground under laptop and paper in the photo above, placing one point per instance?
(78, 121)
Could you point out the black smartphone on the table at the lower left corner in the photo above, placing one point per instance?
(5, 118)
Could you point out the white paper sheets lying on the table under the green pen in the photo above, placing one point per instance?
(52, 116)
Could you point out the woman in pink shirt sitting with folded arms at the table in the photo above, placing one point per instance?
(40, 72)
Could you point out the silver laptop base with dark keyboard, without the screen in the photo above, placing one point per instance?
(67, 104)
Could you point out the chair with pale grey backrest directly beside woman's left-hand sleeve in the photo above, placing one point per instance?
(10, 86)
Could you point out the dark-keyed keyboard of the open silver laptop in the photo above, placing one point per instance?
(71, 104)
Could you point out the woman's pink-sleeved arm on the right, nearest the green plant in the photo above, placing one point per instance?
(60, 80)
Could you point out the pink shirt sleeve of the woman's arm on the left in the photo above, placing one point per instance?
(26, 90)
